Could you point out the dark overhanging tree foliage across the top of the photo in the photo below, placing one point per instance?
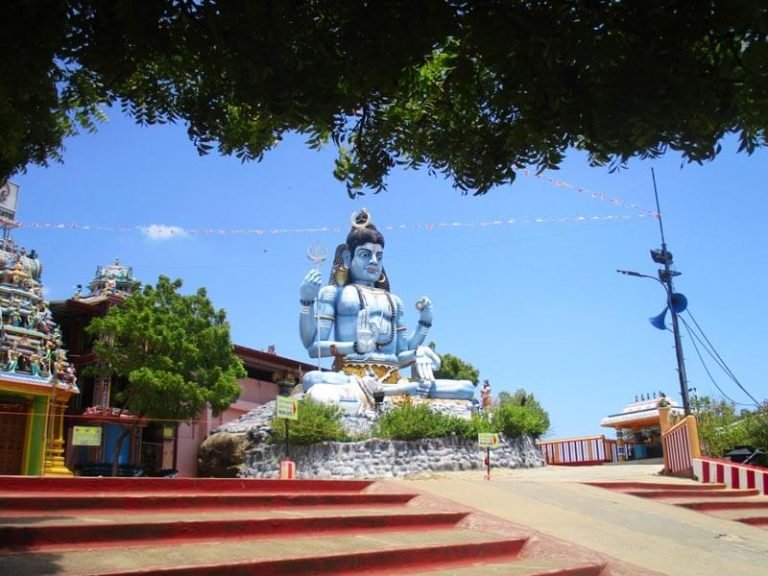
(471, 90)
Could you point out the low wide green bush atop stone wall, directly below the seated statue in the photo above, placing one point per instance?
(410, 421)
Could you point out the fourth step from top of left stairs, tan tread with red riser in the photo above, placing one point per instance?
(333, 554)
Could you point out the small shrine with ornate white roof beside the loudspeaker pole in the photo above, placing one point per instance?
(638, 429)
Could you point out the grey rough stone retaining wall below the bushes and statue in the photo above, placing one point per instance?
(388, 459)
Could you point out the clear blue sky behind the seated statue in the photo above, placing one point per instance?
(525, 288)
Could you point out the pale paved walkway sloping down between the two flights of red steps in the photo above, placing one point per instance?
(648, 533)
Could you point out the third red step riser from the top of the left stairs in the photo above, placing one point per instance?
(88, 535)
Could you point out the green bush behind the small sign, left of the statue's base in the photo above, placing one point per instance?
(316, 423)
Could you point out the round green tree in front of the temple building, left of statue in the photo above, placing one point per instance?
(172, 351)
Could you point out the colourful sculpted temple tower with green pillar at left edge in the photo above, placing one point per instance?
(36, 379)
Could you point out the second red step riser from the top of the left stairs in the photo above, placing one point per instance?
(122, 501)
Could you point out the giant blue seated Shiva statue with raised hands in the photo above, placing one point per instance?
(361, 324)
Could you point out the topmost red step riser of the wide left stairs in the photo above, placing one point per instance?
(35, 485)
